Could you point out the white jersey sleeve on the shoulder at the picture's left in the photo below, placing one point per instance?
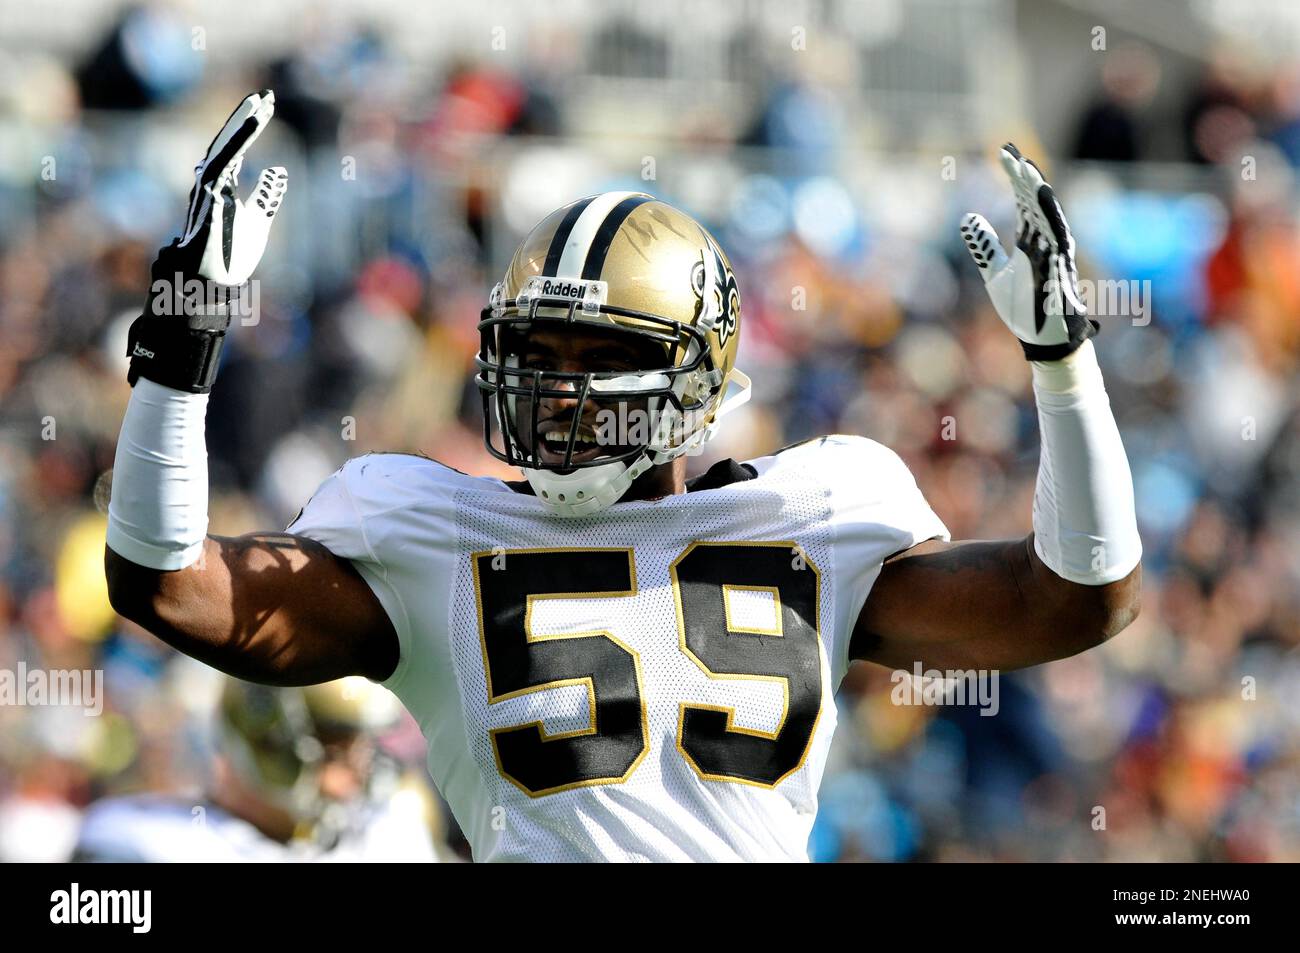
(339, 518)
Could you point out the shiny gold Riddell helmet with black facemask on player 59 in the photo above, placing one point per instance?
(640, 267)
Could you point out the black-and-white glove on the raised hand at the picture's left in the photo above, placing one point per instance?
(224, 237)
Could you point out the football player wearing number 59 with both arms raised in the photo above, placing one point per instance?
(609, 661)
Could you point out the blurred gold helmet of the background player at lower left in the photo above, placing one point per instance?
(278, 739)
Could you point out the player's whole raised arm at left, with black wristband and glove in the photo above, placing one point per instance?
(267, 608)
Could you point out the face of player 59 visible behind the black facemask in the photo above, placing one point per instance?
(582, 352)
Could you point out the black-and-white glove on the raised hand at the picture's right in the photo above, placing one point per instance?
(1035, 292)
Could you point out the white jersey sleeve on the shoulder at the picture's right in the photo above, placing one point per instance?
(878, 510)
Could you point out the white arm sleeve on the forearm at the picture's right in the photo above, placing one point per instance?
(1085, 523)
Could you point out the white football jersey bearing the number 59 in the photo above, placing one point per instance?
(651, 683)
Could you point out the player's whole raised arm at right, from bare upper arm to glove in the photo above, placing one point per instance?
(1077, 579)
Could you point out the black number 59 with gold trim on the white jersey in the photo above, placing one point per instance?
(617, 739)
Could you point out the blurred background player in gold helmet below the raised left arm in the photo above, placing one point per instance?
(297, 777)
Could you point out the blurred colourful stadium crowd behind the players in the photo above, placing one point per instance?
(413, 179)
